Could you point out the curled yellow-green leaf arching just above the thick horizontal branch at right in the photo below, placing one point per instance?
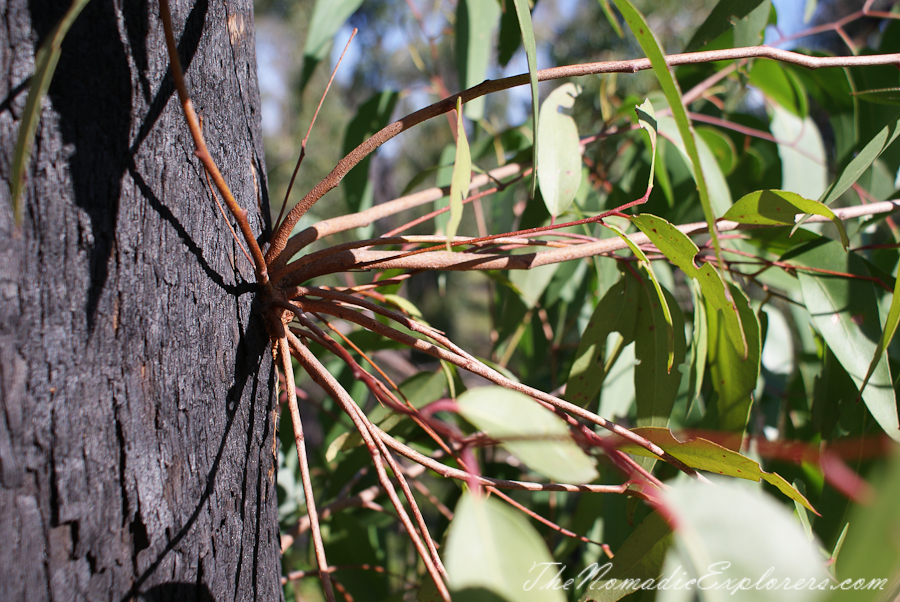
(773, 207)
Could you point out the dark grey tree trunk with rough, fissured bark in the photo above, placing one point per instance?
(136, 440)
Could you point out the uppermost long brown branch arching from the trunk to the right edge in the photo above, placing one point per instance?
(280, 239)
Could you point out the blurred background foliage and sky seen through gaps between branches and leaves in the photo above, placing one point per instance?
(530, 323)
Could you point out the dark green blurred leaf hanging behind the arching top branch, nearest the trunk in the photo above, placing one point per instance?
(371, 116)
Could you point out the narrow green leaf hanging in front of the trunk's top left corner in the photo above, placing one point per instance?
(45, 62)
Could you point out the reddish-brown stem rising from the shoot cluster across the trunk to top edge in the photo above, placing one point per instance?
(239, 213)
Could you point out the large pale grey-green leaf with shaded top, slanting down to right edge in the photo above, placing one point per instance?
(845, 311)
